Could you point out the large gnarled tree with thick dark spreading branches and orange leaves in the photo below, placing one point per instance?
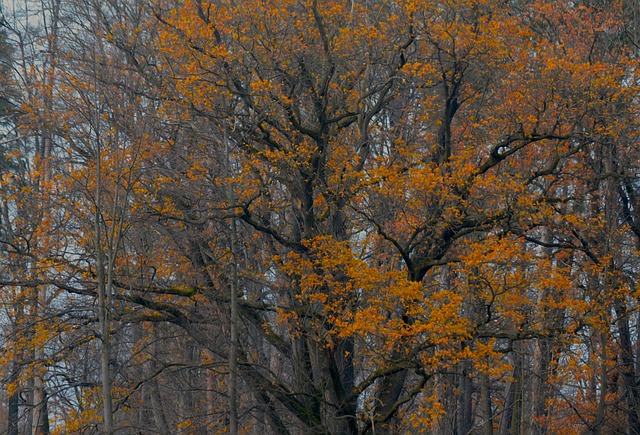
(402, 132)
